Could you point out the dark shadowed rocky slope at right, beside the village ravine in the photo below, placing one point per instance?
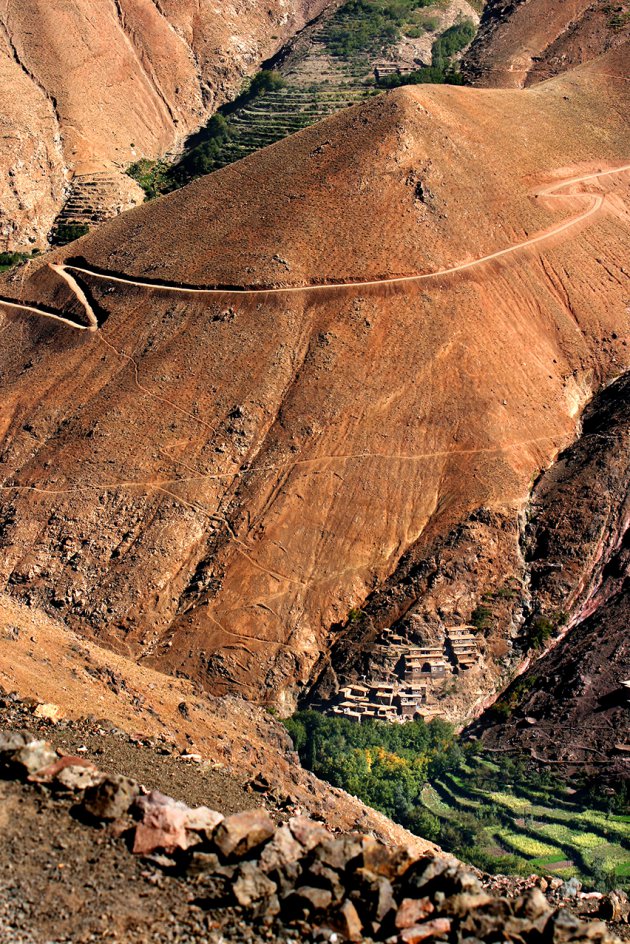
(571, 705)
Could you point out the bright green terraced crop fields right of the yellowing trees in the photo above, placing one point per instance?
(536, 830)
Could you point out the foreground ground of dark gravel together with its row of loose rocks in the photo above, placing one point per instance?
(121, 862)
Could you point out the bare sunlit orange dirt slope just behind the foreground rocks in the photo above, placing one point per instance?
(43, 661)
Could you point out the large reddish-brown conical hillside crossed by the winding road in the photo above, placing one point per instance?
(209, 482)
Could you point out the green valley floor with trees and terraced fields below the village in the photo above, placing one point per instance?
(497, 812)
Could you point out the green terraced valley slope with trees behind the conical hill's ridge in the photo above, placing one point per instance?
(272, 105)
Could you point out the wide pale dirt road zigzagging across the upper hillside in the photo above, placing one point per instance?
(596, 201)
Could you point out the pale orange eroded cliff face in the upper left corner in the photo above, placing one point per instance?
(88, 87)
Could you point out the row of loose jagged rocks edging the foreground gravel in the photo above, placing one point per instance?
(295, 874)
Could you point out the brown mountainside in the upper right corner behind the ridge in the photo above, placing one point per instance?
(522, 42)
